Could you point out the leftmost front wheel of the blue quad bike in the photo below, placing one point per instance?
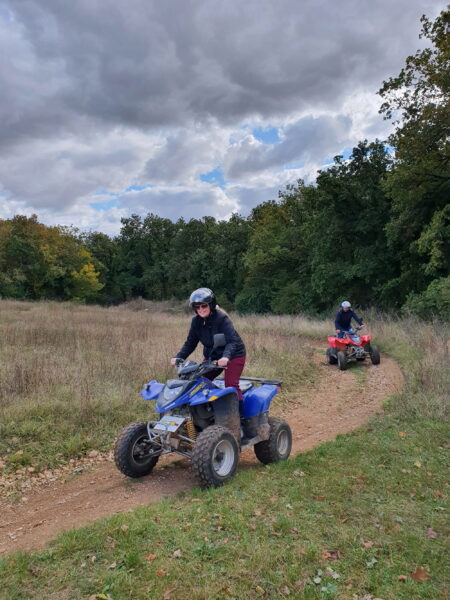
(132, 452)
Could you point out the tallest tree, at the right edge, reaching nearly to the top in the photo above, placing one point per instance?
(418, 99)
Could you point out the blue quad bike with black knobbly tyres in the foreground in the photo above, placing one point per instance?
(204, 421)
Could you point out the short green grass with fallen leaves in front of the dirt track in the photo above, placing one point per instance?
(354, 517)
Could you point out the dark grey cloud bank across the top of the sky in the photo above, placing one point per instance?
(151, 63)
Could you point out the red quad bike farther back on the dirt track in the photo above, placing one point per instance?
(352, 347)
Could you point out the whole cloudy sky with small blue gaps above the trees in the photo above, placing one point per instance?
(186, 108)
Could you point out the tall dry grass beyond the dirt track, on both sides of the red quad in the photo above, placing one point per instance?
(71, 374)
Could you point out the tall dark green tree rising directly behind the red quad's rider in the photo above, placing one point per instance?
(344, 228)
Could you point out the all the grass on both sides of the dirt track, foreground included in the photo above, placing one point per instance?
(360, 518)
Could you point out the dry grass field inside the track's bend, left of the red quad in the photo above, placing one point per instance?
(71, 374)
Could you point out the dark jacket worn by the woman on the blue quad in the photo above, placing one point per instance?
(203, 330)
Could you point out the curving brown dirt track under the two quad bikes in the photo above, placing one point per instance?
(337, 402)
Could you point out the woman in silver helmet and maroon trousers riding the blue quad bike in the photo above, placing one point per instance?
(207, 322)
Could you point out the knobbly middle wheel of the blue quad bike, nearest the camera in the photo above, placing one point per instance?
(215, 456)
